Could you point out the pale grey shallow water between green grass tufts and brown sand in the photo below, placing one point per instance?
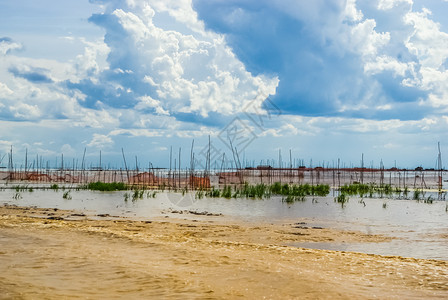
(421, 229)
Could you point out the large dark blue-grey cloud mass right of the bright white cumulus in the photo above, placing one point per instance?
(315, 80)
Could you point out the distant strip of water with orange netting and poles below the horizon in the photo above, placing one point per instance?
(418, 178)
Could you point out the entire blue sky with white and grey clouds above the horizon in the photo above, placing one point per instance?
(290, 82)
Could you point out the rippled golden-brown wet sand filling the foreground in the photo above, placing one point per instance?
(48, 254)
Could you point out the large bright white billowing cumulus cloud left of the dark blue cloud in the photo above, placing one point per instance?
(189, 73)
